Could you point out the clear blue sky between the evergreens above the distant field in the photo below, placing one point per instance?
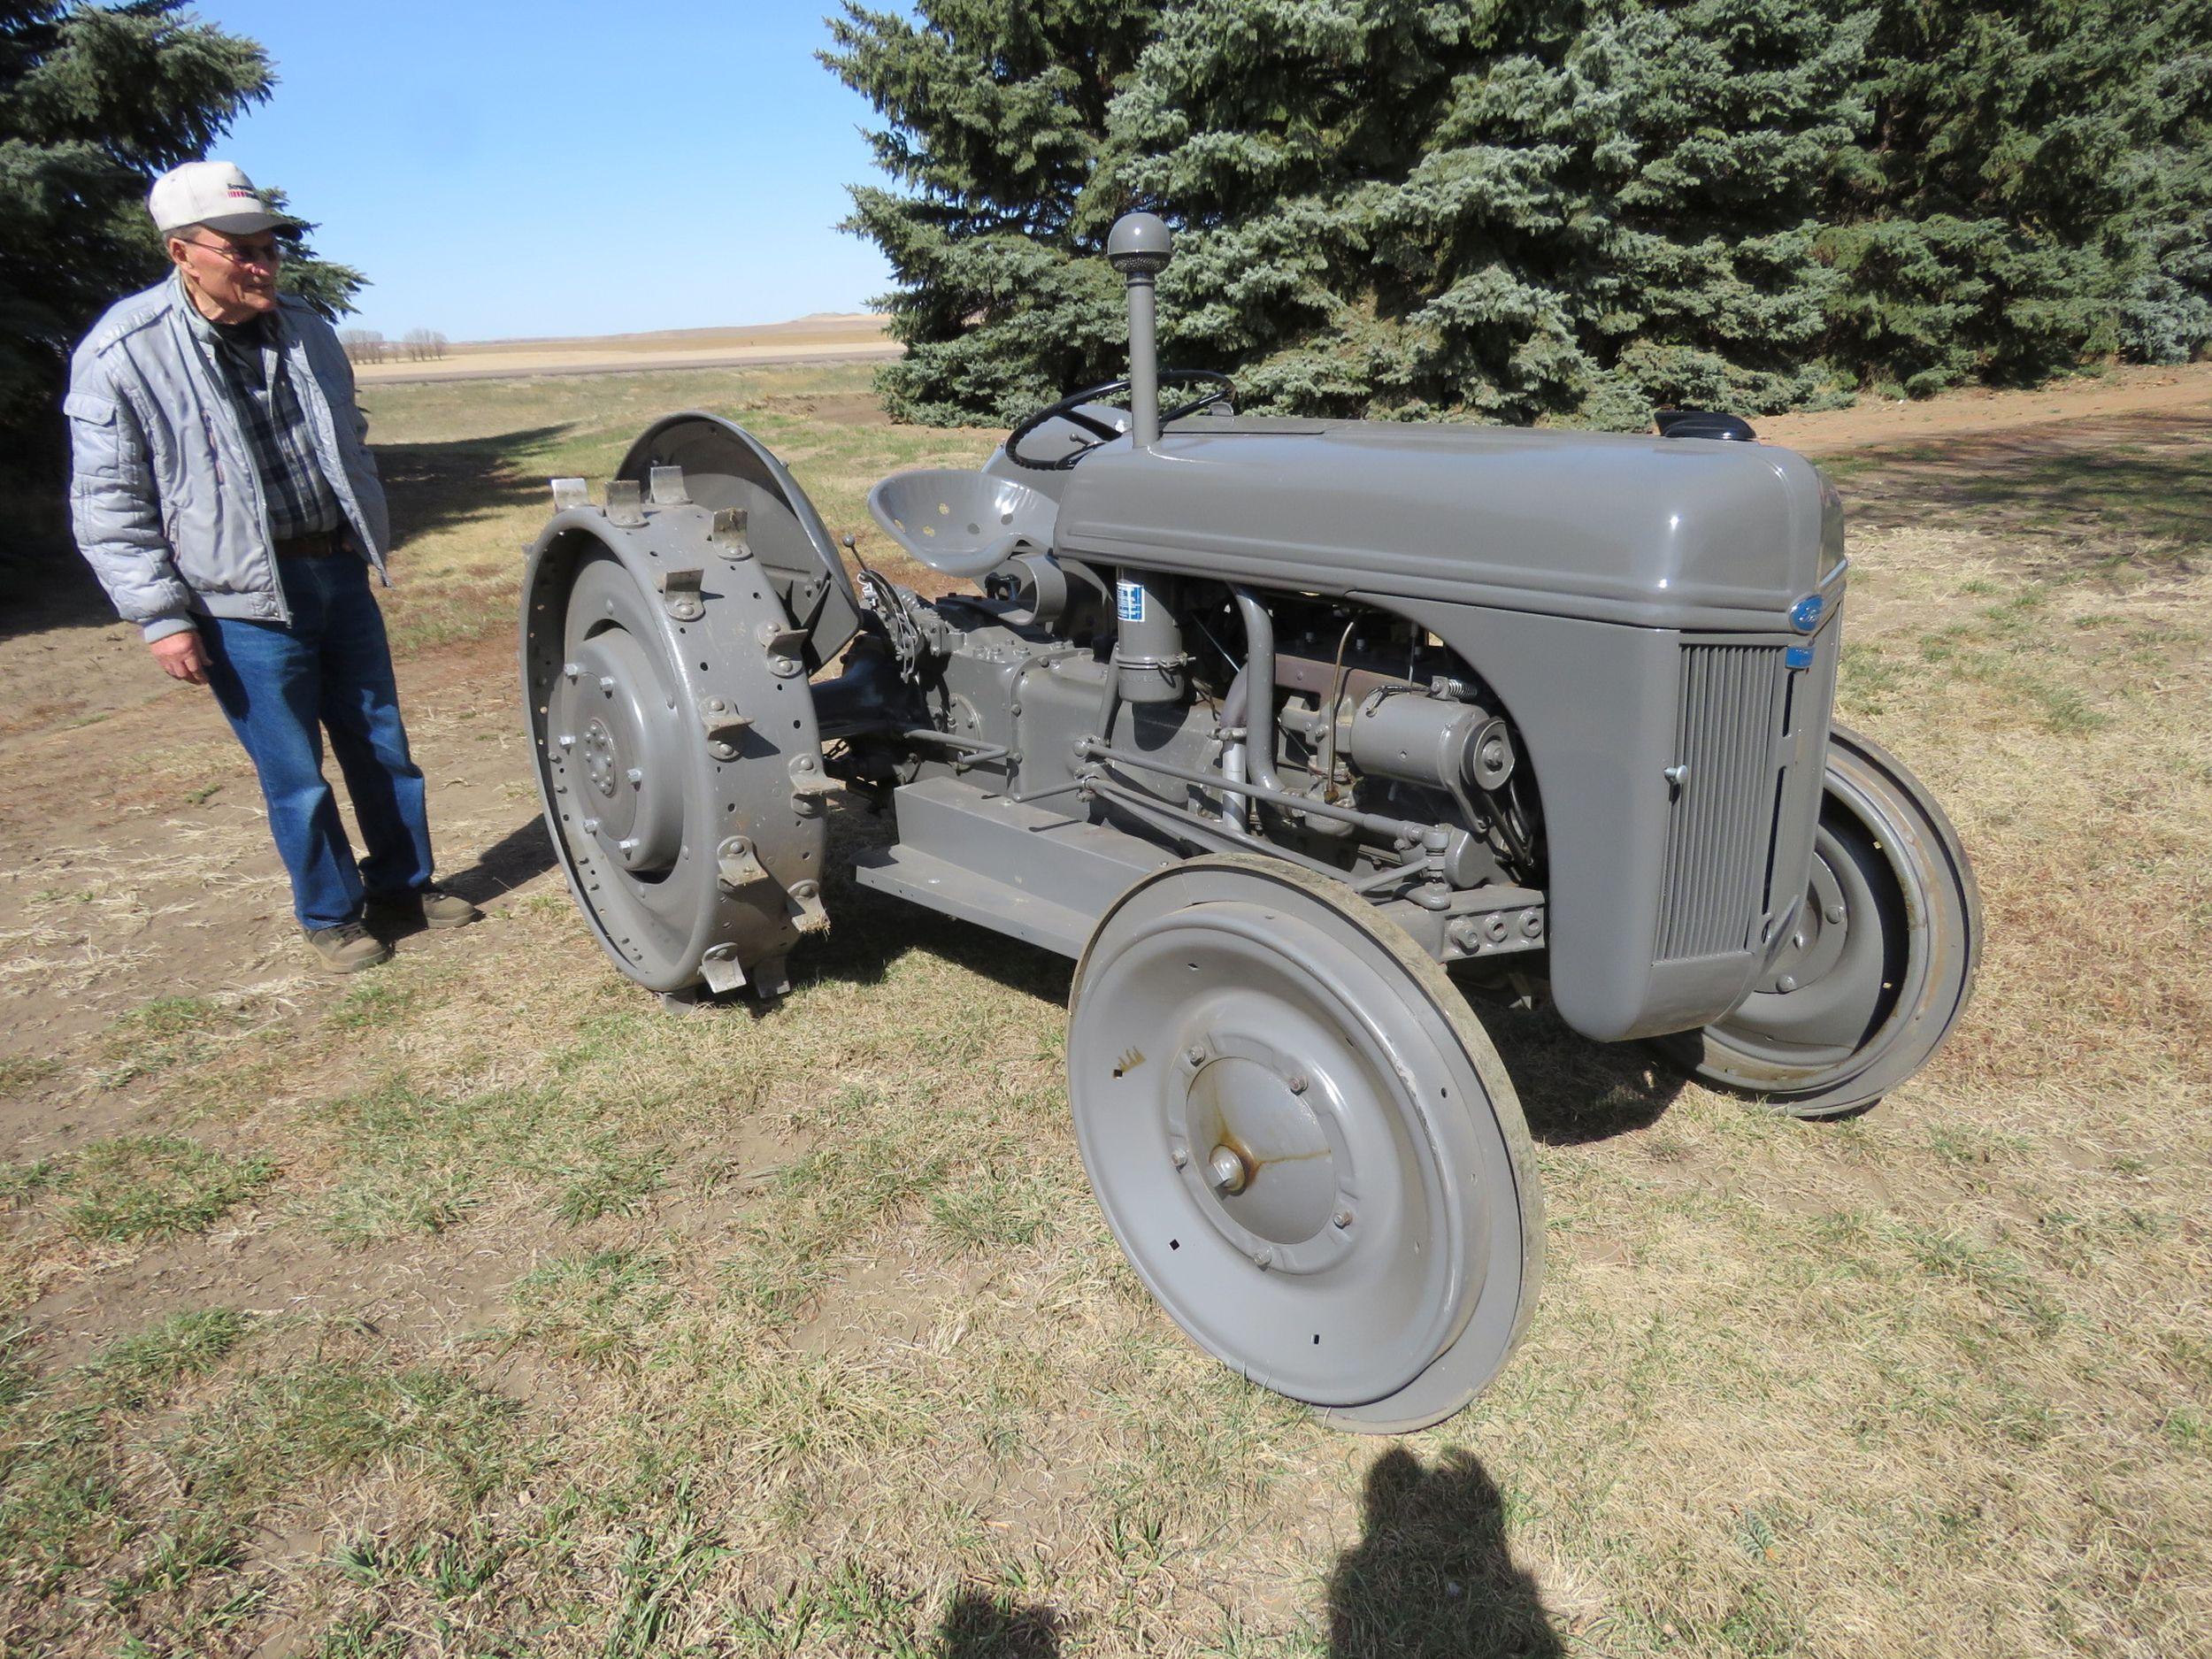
(565, 167)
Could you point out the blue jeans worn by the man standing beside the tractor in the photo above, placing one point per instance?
(282, 691)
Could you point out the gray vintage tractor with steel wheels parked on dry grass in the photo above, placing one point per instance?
(1269, 724)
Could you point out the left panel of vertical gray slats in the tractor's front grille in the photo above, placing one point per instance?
(1722, 831)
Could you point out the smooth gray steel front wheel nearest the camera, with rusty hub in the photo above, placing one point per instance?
(1304, 1142)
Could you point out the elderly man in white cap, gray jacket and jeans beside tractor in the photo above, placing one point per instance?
(227, 499)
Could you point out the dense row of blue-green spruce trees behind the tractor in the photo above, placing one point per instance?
(1541, 209)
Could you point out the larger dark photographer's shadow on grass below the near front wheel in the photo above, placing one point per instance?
(1432, 1576)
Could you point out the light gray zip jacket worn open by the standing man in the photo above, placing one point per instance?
(165, 497)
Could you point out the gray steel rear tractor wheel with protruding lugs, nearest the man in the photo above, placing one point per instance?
(676, 744)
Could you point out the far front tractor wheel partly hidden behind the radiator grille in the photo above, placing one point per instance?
(1881, 963)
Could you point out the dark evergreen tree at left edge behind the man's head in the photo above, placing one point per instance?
(96, 101)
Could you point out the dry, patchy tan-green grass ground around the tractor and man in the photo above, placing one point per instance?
(481, 1308)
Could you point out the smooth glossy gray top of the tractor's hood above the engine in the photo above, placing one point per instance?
(1647, 532)
